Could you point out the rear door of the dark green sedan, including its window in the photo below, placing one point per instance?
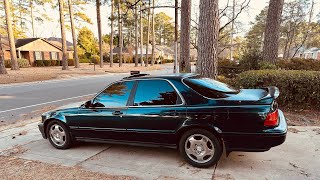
(155, 113)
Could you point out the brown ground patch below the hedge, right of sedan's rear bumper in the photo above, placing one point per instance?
(303, 118)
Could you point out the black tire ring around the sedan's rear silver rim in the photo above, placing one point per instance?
(216, 143)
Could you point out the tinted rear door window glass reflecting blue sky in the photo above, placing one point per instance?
(155, 92)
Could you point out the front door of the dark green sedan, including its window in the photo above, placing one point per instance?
(104, 118)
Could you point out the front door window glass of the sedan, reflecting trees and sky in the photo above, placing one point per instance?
(116, 95)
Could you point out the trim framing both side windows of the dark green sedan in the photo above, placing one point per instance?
(133, 95)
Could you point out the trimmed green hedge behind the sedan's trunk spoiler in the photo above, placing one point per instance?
(298, 89)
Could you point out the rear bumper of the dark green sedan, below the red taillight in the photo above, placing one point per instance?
(260, 141)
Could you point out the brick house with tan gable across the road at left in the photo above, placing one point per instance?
(34, 49)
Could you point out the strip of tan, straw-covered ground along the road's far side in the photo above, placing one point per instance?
(46, 73)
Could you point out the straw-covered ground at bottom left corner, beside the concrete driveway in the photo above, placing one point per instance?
(16, 168)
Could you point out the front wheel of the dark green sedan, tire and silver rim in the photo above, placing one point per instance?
(59, 135)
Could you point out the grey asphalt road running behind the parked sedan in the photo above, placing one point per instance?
(20, 101)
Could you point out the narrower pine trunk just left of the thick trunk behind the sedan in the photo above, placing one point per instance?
(185, 36)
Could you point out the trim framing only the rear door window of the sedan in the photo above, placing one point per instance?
(170, 83)
